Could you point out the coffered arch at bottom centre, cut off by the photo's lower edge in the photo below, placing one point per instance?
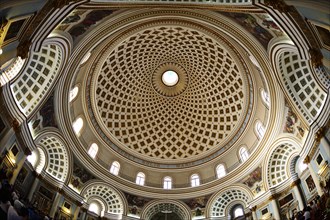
(154, 207)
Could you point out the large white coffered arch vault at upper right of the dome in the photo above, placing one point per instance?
(297, 78)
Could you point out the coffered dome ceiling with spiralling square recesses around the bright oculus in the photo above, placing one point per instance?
(149, 119)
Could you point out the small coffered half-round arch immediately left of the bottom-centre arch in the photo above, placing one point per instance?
(113, 200)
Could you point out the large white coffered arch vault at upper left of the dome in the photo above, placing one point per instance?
(39, 77)
